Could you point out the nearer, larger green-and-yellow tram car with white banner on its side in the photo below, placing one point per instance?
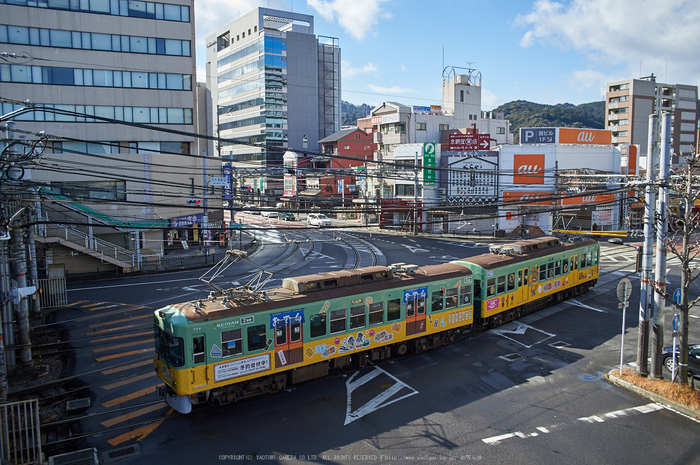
(243, 344)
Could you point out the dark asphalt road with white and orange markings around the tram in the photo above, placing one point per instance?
(531, 391)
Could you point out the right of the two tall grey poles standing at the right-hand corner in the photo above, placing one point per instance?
(657, 331)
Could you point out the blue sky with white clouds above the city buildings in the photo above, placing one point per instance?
(543, 51)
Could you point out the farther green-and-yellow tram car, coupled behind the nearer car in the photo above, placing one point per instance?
(522, 277)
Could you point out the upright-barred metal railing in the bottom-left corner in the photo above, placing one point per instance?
(20, 436)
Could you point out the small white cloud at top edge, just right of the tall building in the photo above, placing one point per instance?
(357, 17)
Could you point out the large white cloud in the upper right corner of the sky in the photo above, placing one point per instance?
(662, 36)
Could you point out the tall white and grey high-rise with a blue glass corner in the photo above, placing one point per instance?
(274, 85)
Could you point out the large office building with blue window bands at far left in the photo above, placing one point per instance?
(96, 72)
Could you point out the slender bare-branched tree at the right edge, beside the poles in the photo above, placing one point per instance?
(683, 242)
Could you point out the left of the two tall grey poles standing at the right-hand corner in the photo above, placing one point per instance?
(646, 306)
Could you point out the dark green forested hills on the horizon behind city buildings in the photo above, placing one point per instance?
(520, 113)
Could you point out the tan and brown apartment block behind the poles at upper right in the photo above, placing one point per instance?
(629, 103)
